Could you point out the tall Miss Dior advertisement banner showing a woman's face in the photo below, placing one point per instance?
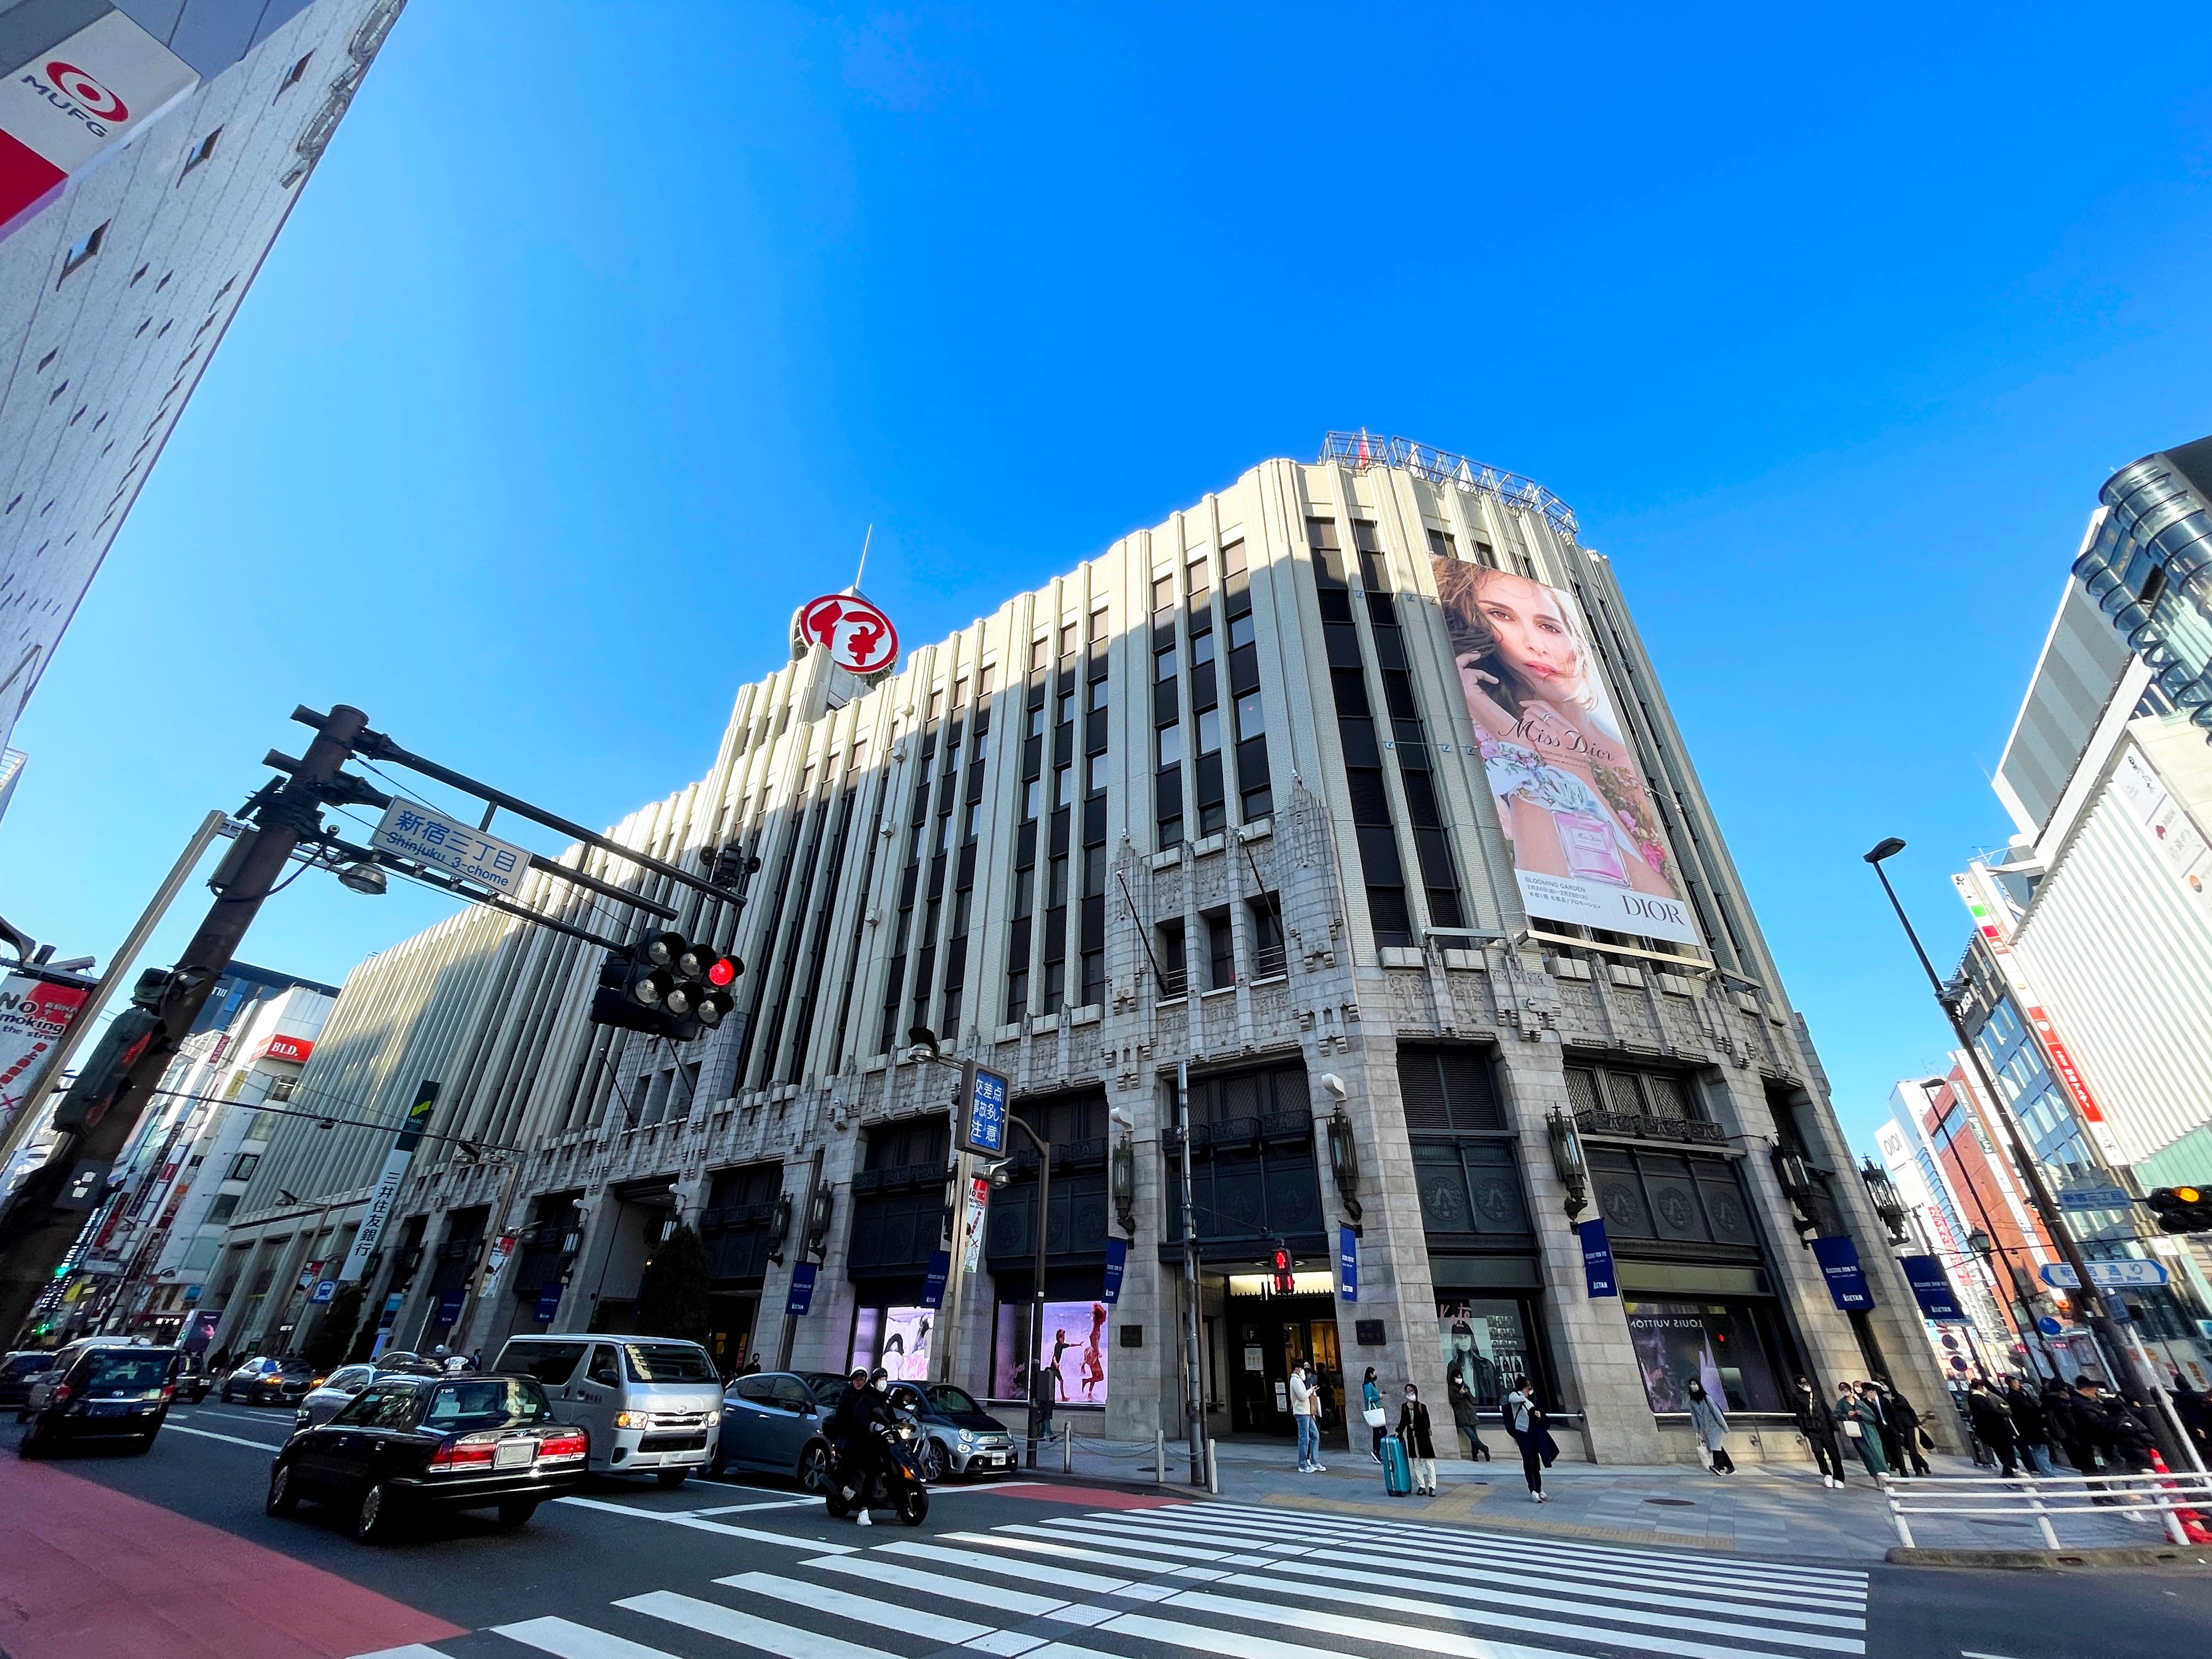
(1572, 802)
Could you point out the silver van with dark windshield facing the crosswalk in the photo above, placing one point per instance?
(654, 1406)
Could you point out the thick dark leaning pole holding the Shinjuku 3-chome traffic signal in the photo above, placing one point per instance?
(34, 1231)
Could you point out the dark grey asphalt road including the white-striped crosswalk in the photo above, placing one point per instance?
(724, 1572)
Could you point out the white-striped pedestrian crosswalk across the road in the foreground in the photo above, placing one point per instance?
(1235, 1580)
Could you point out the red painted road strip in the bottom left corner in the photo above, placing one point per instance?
(92, 1574)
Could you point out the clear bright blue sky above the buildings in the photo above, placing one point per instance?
(605, 331)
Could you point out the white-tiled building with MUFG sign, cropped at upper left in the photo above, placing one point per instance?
(134, 218)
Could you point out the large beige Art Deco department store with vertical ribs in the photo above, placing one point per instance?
(1235, 797)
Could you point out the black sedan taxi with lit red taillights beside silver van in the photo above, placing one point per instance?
(415, 1443)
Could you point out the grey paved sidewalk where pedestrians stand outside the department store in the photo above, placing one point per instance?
(1762, 1510)
